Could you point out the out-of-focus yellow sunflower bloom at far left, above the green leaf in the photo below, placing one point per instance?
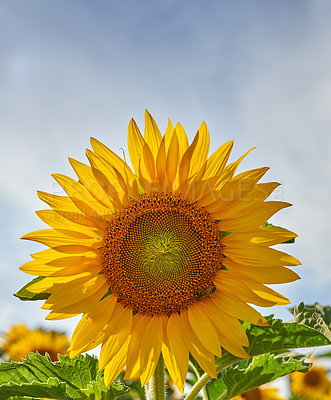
(19, 341)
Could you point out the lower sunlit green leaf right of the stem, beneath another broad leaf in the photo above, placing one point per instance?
(251, 373)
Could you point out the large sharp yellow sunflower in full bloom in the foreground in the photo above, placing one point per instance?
(161, 259)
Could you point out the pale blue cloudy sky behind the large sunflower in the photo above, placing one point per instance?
(256, 71)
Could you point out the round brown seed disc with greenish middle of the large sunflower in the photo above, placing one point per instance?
(161, 253)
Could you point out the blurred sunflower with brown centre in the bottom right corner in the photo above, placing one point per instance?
(313, 385)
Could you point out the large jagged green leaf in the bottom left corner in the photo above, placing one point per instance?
(38, 377)
